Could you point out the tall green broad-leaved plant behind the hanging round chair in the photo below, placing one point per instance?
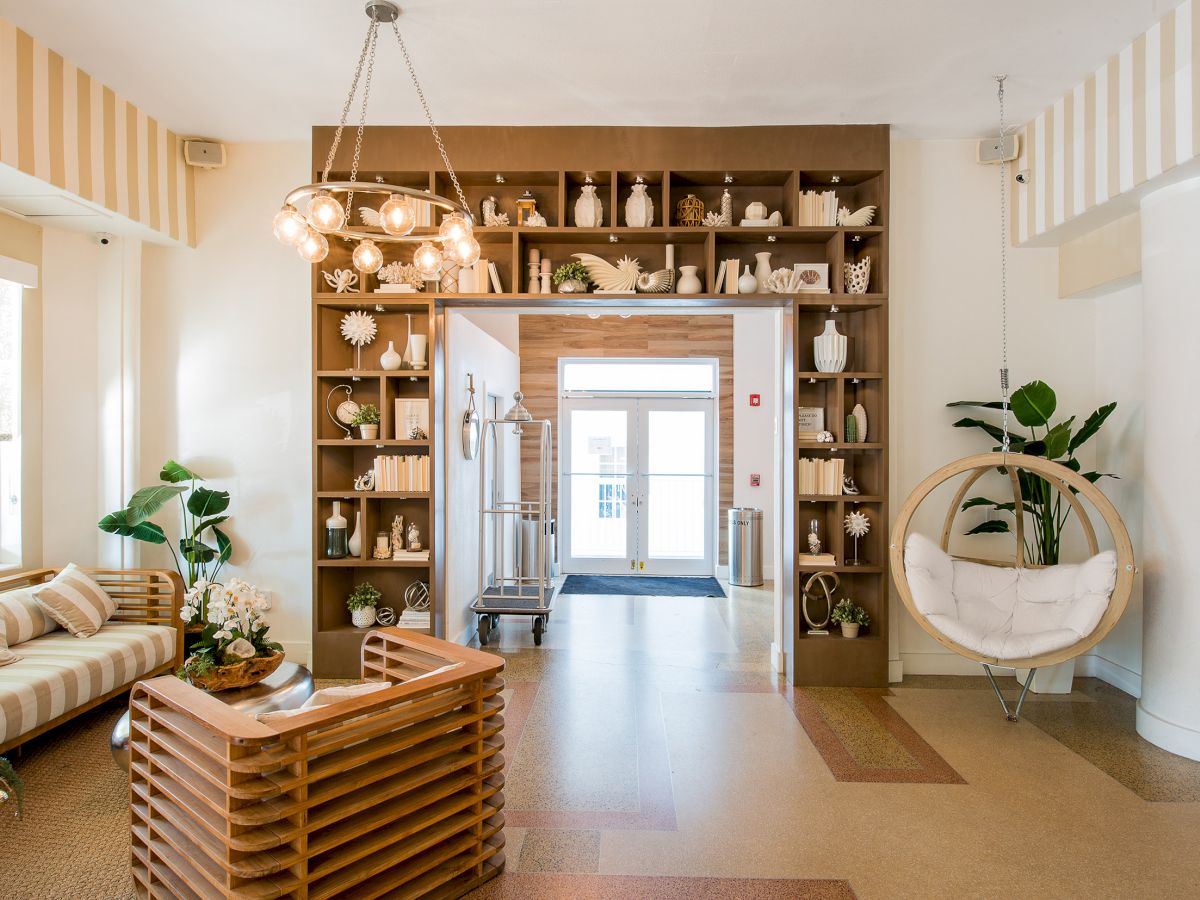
(1034, 406)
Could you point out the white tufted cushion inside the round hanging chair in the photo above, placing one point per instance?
(1007, 613)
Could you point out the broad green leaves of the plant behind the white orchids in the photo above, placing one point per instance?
(203, 548)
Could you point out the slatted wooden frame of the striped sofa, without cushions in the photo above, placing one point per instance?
(151, 597)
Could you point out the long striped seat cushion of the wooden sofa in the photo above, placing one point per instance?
(57, 673)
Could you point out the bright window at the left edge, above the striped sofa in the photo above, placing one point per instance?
(10, 423)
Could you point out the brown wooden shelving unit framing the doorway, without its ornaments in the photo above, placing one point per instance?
(770, 165)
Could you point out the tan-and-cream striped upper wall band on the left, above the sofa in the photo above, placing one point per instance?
(63, 127)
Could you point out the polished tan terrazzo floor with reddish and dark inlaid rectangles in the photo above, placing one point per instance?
(652, 753)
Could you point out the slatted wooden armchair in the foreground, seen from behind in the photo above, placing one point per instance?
(394, 794)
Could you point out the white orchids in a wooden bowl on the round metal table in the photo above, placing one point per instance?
(233, 650)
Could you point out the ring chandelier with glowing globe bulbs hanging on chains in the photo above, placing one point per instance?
(326, 215)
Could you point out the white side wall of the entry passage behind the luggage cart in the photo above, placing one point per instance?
(497, 370)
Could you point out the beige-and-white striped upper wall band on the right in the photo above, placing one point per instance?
(1131, 121)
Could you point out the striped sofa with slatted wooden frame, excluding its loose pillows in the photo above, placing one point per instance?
(59, 676)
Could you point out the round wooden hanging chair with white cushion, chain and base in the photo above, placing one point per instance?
(1013, 614)
